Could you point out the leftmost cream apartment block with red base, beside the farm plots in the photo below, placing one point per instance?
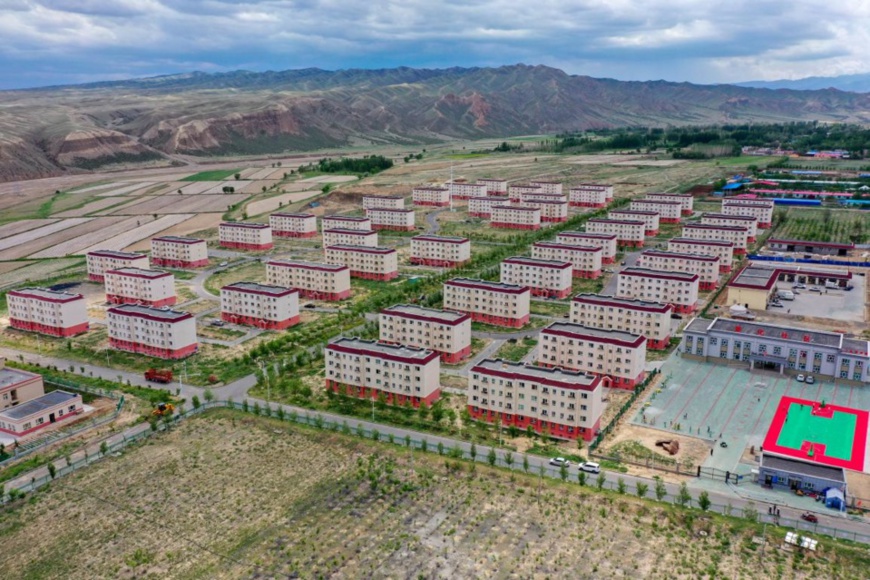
(47, 311)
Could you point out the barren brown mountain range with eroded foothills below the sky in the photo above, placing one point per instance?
(51, 130)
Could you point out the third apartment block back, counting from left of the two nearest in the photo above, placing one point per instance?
(490, 302)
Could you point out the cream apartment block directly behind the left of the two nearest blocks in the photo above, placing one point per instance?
(447, 333)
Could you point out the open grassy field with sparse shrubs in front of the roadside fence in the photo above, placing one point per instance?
(230, 496)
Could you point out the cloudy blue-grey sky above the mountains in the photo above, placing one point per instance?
(45, 42)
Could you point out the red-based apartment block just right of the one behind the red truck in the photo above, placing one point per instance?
(261, 305)
